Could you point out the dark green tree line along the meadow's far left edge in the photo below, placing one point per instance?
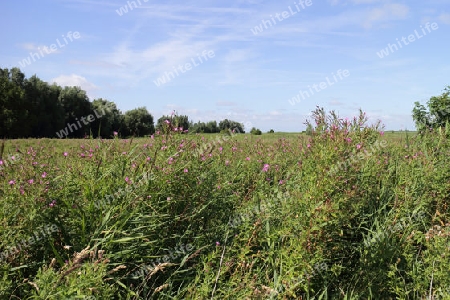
(33, 108)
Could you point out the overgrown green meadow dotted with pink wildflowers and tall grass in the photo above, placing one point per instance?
(323, 215)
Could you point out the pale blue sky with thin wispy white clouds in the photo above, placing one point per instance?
(266, 64)
